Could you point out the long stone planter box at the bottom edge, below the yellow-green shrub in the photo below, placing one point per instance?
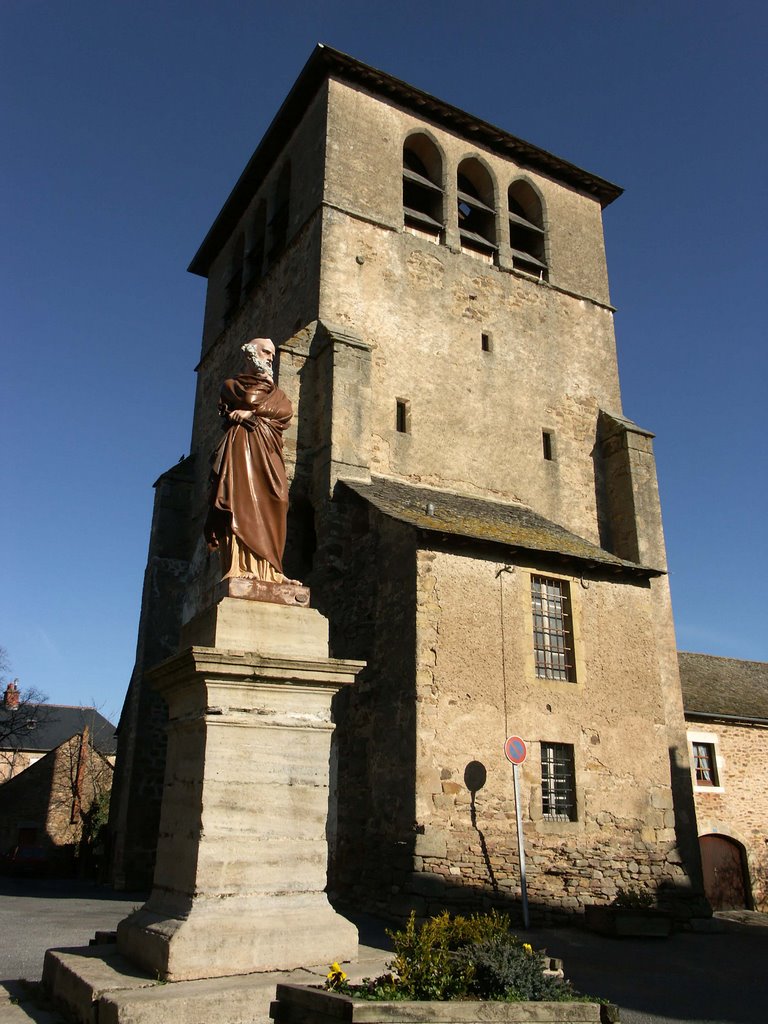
(301, 1005)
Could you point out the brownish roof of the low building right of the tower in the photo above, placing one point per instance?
(727, 688)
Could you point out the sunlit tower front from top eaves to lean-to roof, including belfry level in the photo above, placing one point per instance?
(423, 309)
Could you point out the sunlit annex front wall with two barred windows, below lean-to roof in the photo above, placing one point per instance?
(477, 685)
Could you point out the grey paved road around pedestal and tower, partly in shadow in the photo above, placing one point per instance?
(688, 979)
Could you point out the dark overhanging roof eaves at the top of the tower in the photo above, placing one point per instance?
(326, 63)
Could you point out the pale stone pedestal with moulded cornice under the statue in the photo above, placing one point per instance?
(242, 858)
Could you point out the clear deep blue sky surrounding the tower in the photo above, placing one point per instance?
(124, 127)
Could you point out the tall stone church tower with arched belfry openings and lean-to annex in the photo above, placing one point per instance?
(474, 513)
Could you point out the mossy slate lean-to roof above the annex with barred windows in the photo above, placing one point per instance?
(477, 519)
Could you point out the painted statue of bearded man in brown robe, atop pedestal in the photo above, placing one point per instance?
(249, 493)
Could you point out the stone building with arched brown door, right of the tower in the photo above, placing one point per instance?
(727, 708)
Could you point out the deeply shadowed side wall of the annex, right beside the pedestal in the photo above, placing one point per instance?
(371, 611)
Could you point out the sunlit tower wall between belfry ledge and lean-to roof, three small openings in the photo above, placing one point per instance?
(552, 368)
